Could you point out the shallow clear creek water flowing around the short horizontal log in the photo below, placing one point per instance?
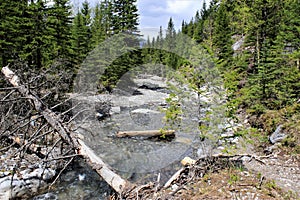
(135, 159)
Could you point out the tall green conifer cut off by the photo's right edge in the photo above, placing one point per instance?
(285, 53)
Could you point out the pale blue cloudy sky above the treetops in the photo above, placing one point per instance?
(155, 13)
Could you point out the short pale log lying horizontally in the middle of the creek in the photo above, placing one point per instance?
(149, 133)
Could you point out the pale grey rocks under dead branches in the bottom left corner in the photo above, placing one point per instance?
(23, 177)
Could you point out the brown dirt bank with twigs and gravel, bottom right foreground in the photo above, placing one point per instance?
(274, 176)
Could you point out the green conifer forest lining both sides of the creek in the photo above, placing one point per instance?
(261, 77)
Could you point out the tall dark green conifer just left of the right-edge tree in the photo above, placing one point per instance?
(262, 91)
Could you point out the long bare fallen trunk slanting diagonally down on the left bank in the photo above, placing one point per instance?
(113, 179)
